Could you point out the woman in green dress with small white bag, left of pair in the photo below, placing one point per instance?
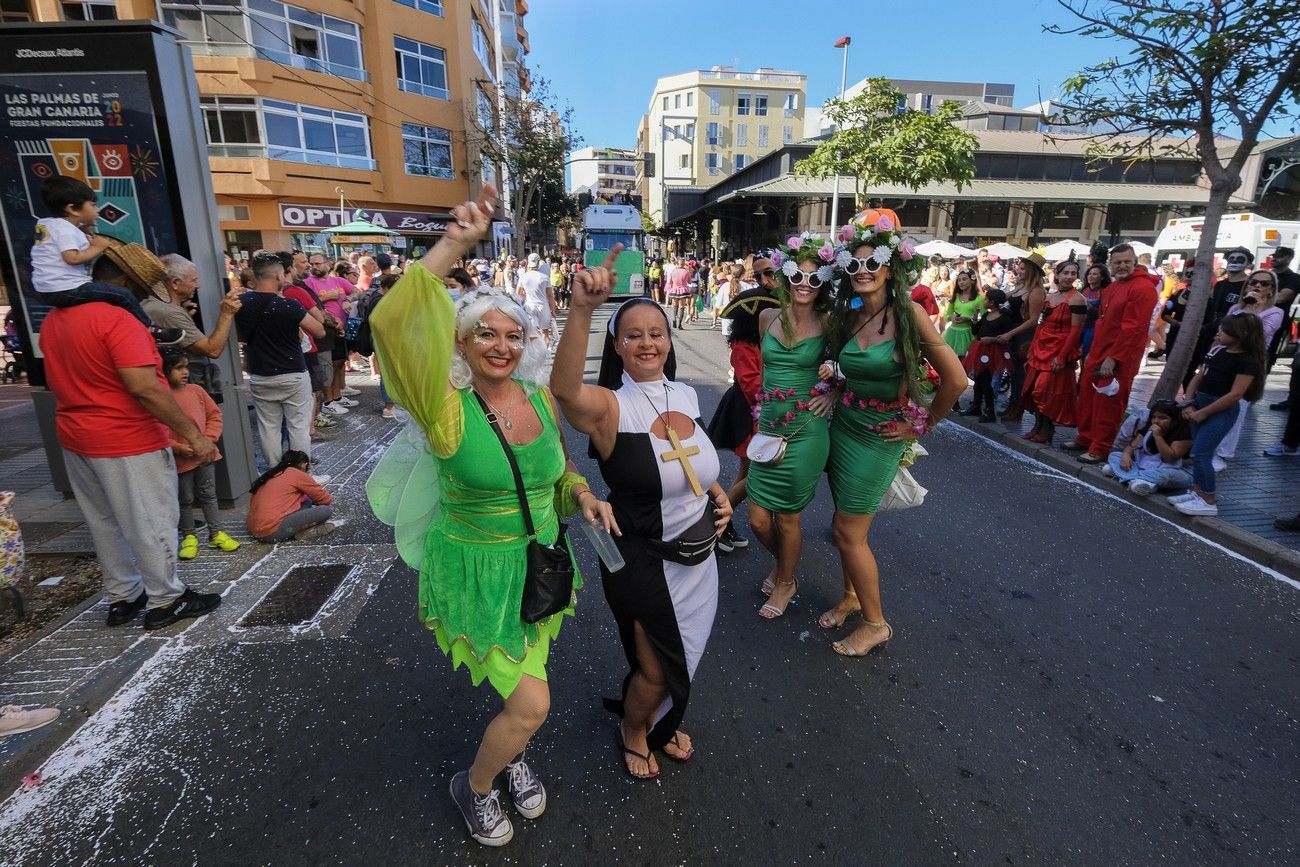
(794, 405)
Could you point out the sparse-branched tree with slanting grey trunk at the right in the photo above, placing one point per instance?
(1188, 70)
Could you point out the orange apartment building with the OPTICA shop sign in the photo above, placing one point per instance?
(306, 102)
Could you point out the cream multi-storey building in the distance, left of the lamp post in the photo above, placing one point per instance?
(707, 124)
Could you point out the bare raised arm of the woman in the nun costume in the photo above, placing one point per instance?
(590, 409)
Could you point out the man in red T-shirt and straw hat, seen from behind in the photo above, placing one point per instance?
(114, 409)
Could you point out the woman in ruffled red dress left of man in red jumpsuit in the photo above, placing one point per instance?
(1051, 387)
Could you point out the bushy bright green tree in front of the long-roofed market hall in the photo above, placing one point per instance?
(877, 142)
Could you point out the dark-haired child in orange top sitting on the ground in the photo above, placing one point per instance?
(289, 504)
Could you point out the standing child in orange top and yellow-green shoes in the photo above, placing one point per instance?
(196, 483)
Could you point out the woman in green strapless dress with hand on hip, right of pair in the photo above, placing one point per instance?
(882, 343)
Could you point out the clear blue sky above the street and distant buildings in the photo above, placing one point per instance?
(605, 66)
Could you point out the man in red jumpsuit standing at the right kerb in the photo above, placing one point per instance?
(1116, 354)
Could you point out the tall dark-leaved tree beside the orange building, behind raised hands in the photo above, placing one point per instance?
(530, 141)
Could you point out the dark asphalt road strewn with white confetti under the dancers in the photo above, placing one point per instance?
(1072, 682)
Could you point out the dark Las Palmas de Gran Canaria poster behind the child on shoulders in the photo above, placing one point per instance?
(98, 128)
